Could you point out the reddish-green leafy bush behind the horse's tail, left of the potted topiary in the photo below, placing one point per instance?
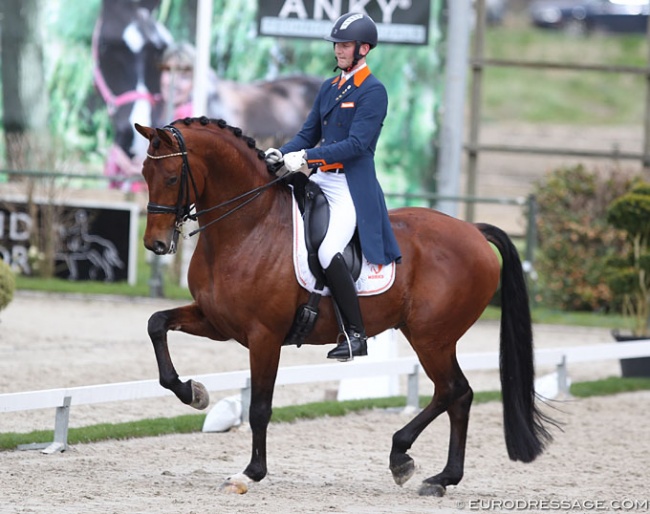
(575, 239)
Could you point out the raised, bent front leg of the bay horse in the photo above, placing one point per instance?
(189, 319)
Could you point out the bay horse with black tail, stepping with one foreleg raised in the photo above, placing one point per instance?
(242, 280)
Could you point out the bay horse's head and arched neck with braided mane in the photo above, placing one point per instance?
(202, 170)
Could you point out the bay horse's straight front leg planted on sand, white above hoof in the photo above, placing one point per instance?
(264, 360)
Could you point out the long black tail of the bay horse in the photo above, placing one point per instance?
(524, 425)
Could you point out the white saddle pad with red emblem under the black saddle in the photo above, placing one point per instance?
(374, 278)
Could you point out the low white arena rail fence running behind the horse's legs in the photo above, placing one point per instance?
(62, 399)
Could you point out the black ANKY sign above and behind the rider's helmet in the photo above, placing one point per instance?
(398, 21)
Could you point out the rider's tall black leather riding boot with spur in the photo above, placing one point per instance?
(341, 284)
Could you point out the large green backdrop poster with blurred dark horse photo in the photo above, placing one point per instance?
(96, 67)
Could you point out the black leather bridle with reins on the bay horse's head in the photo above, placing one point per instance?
(184, 207)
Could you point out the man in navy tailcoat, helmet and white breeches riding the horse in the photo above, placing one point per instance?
(339, 139)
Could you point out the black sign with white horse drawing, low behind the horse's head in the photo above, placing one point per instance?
(91, 242)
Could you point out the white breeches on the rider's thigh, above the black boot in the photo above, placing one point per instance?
(343, 216)
